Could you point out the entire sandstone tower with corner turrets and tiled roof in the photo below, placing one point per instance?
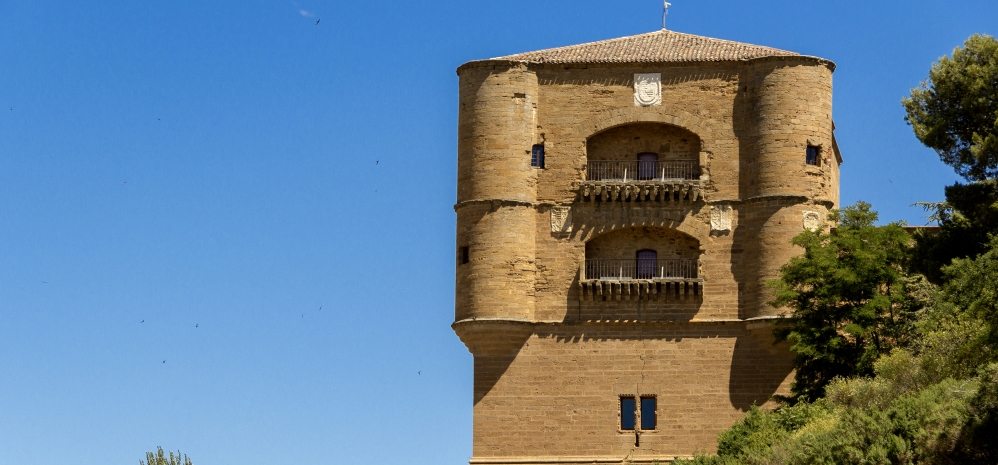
(621, 207)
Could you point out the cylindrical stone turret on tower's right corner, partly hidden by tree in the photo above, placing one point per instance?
(793, 112)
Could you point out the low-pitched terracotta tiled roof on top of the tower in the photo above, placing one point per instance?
(652, 47)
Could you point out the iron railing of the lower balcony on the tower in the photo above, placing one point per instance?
(641, 268)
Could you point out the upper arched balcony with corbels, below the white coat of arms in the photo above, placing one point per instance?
(642, 162)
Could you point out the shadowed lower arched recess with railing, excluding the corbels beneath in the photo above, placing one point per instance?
(623, 253)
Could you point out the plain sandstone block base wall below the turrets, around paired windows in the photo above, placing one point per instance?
(559, 394)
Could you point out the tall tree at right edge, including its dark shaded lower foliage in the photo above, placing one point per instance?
(955, 112)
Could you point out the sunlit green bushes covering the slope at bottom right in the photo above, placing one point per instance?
(933, 401)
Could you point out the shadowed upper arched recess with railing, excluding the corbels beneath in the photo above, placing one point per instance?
(643, 151)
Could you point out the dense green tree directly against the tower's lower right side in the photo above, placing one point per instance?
(851, 299)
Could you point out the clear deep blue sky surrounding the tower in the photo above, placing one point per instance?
(227, 229)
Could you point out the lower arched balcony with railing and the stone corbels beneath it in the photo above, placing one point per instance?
(641, 263)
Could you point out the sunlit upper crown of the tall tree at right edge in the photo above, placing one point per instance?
(955, 112)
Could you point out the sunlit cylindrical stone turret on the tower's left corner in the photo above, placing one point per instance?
(496, 216)
